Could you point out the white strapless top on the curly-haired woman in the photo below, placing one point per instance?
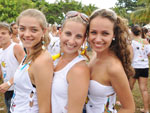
(101, 98)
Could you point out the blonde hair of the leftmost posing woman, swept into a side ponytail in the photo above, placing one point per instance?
(43, 23)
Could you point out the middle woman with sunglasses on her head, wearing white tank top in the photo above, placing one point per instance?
(71, 76)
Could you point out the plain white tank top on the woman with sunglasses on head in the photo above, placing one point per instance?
(60, 87)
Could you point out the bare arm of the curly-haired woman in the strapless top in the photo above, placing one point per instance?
(120, 84)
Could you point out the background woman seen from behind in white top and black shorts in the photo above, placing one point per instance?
(141, 51)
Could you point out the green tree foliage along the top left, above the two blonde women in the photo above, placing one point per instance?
(10, 9)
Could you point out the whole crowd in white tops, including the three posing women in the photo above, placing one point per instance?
(46, 69)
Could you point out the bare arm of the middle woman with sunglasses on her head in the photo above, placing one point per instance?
(78, 80)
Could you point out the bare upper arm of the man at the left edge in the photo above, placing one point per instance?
(19, 53)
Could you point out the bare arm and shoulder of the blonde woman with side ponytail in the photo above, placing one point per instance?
(42, 71)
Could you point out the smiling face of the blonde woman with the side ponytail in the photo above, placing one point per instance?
(30, 31)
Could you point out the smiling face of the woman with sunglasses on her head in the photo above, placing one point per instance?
(72, 37)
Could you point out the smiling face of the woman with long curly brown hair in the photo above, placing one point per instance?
(101, 34)
